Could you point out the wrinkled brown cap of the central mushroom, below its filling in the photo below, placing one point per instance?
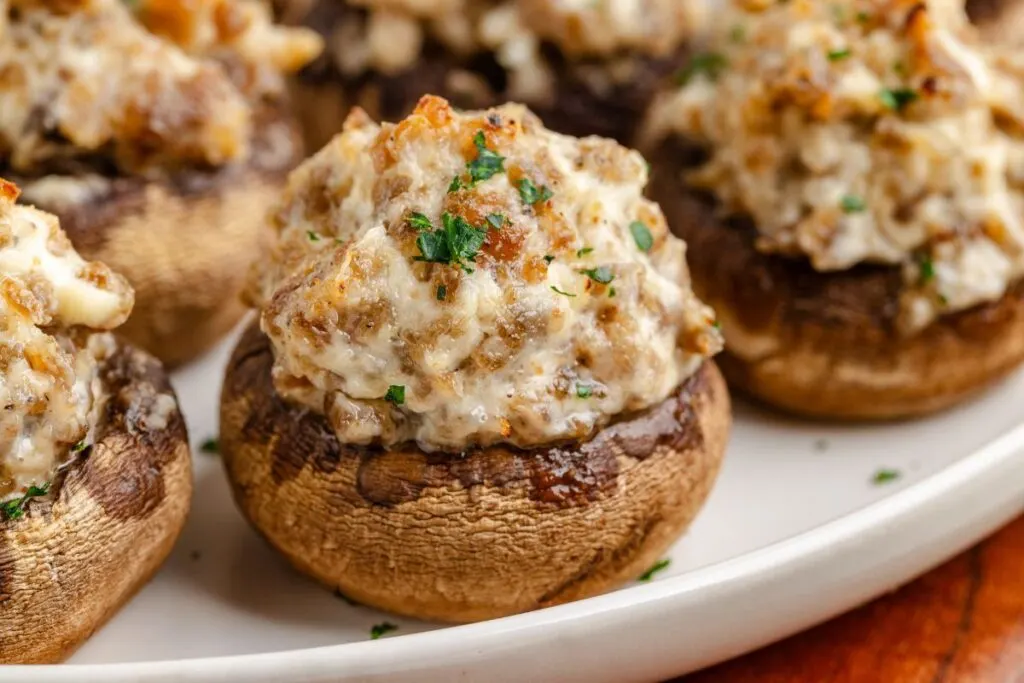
(475, 536)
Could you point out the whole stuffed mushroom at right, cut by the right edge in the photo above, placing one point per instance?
(850, 177)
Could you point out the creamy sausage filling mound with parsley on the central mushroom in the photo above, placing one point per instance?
(462, 280)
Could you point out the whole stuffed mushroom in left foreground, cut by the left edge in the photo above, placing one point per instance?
(95, 465)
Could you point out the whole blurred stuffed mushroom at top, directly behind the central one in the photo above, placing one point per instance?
(586, 68)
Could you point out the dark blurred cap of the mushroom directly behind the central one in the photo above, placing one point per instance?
(324, 97)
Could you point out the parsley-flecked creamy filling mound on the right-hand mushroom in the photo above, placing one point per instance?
(878, 132)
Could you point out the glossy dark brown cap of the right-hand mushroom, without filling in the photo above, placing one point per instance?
(827, 345)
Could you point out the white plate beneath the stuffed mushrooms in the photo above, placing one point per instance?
(795, 533)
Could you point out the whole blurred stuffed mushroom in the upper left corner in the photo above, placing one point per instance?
(157, 132)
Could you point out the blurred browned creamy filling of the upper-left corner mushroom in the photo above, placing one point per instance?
(84, 79)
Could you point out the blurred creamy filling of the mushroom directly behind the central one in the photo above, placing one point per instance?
(396, 32)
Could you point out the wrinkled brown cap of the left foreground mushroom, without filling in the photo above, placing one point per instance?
(71, 563)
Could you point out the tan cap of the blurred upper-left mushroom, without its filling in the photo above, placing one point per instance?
(185, 243)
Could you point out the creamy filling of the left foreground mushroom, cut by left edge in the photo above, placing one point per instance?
(51, 302)
